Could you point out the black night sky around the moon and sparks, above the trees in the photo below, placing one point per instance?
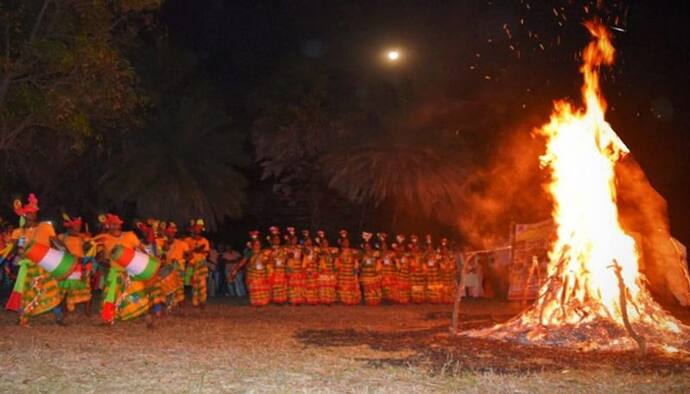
(525, 52)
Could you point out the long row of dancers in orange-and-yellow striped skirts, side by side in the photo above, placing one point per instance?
(311, 271)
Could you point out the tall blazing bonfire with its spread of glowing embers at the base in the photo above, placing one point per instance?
(594, 297)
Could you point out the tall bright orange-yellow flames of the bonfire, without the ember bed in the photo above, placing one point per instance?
(581, 153)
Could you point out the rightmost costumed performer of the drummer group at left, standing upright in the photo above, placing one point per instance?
(199, 248)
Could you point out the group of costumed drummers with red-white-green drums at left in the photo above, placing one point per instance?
(136, 276)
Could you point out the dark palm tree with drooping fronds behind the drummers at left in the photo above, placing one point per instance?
(184, 165)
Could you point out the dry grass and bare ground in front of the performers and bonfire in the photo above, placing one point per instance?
(234, 348)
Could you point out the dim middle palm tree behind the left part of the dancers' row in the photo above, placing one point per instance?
(300, 114)
